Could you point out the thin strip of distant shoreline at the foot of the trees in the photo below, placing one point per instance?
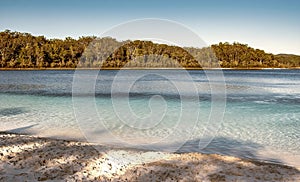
(141, 68)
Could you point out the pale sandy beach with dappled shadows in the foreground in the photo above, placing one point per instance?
(24, 157)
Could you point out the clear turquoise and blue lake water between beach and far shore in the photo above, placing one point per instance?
(261, 118)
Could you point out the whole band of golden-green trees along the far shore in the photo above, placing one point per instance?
(22, 50)
